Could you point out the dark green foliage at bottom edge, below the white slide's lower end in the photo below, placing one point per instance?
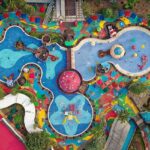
(38, 141)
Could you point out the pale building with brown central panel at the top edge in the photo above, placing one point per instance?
(66, 10)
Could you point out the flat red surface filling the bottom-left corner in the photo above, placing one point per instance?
(8, 140)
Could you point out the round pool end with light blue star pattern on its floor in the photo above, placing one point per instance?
(70, 117)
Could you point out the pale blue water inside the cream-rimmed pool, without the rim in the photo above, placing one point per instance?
(86, 56)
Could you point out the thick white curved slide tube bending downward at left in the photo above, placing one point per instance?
(29, 108)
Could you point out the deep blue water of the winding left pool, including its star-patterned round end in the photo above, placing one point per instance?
(13, 63)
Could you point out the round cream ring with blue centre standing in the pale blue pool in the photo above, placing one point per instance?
(117, 51)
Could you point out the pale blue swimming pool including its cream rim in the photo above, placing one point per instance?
(135, 41)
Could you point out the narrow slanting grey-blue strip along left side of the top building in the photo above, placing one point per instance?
(49, 11)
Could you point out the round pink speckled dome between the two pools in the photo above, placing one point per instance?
(69, 81)
